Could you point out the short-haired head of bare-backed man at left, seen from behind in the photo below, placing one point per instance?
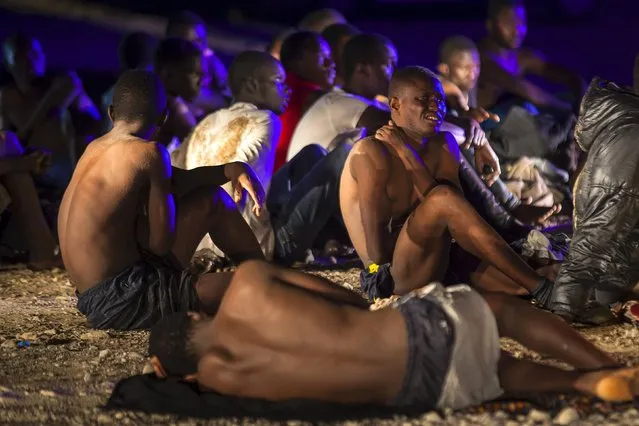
(138, 96)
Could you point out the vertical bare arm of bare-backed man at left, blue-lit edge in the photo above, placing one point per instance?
(161, 206)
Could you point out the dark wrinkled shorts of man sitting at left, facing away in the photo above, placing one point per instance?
(139, 296)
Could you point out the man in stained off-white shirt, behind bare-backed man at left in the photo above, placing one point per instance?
(247, 131)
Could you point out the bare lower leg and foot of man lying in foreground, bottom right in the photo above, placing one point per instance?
(517, 375)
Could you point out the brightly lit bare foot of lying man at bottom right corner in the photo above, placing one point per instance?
(610, 385)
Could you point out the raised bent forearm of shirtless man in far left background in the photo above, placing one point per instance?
(59, 96)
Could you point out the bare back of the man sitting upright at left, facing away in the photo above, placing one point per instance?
(99, 210)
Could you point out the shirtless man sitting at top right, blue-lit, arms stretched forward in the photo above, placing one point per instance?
(505, 64)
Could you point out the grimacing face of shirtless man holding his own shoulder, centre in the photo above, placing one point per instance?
(422, 107)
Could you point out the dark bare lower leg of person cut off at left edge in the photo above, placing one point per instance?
(26, 204)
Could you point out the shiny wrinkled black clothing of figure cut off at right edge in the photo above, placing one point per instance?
(604, 252)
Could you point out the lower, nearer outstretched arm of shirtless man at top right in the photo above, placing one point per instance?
(496, 75)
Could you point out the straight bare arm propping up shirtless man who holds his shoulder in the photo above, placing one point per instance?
(370, 169)
